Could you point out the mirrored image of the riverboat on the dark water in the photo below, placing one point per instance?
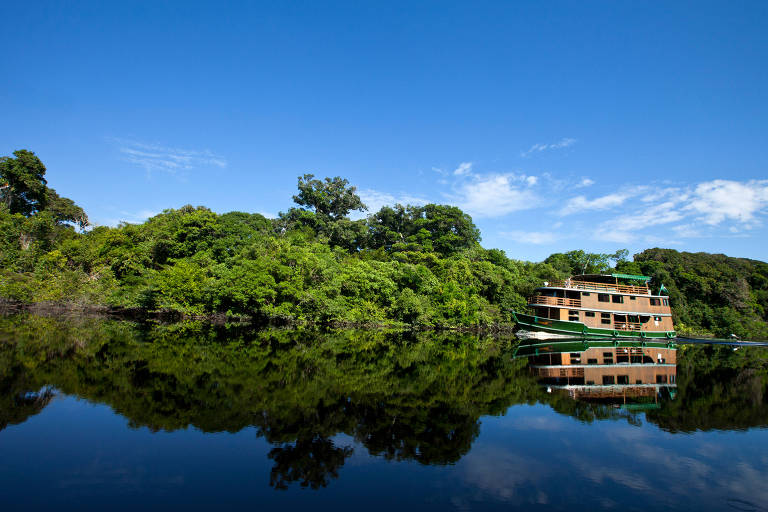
(634, 374)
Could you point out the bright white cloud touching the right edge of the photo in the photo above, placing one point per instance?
(719, 200)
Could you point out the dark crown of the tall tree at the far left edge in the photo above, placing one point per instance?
(23, 183)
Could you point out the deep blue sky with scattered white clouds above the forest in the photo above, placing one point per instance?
(557, 125)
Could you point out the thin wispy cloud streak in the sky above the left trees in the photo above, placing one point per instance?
(154, 157)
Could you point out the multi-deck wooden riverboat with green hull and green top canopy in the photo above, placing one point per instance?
(598, 305)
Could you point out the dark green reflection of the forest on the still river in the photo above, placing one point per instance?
(402, 396)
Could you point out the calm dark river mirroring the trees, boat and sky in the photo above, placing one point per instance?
(111, 415)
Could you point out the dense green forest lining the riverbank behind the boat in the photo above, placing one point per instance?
(414, 267)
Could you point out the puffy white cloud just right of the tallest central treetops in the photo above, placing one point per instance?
(495, 195)
